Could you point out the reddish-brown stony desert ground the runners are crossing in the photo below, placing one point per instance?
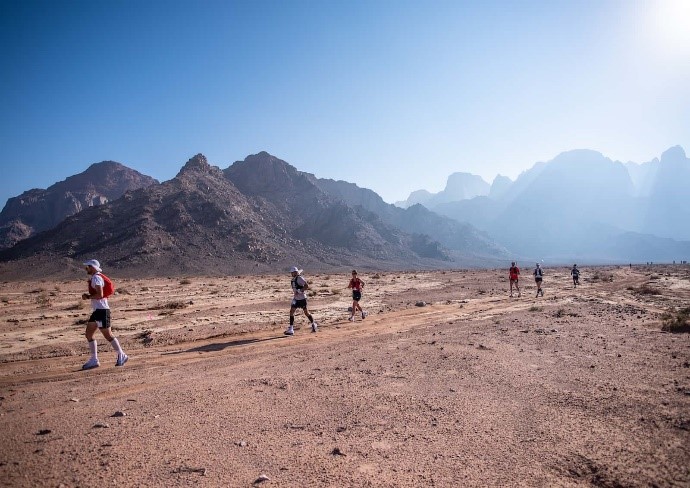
(448, 382)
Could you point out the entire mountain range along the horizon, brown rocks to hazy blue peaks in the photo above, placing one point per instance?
(262, 214)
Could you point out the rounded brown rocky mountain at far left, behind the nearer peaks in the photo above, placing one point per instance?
(37, 210)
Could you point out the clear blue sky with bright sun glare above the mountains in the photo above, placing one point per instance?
(393, 95)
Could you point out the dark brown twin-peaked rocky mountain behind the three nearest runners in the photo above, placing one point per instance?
(259, 215)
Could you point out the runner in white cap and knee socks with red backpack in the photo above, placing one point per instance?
(100, 288)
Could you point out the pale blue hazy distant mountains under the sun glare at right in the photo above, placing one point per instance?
(583, 206)
